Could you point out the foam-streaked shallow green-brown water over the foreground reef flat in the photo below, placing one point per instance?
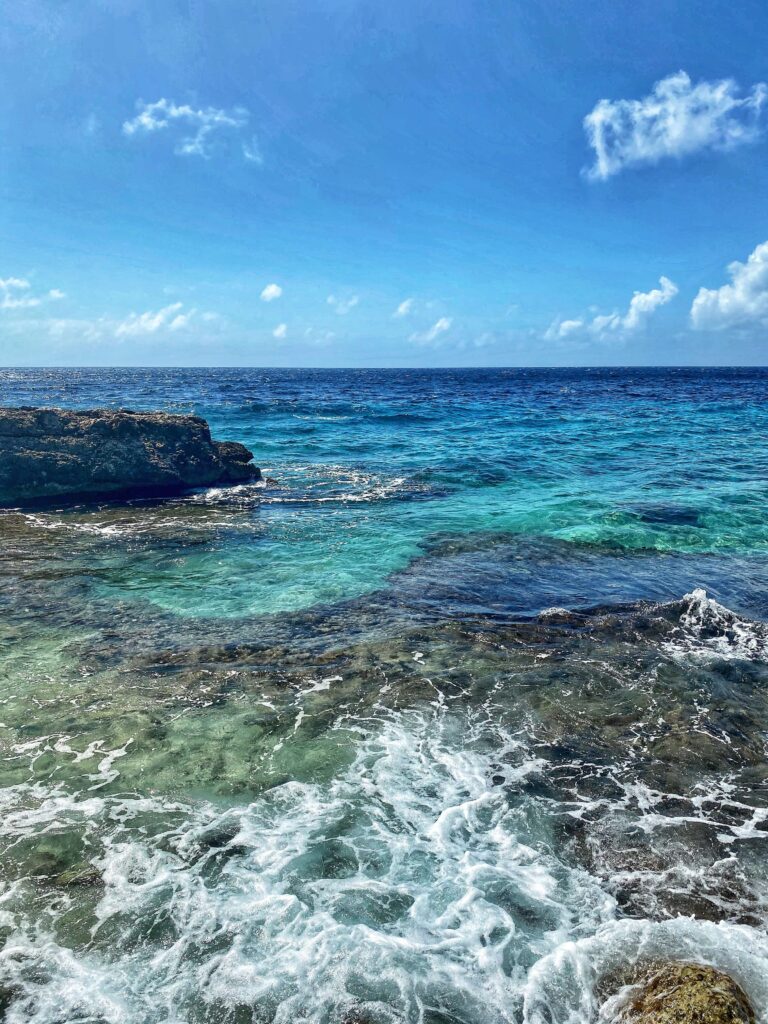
(614, 757)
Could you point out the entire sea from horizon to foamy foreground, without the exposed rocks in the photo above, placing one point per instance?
(453, 723)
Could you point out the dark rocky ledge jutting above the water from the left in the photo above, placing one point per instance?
(56, 453)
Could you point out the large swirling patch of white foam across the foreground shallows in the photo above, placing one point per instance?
(410, 887)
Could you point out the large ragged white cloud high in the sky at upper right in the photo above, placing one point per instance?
(675, 120)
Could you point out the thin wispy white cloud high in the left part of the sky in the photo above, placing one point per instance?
(204, 123)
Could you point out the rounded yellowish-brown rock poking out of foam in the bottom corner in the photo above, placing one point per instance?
(688, 994)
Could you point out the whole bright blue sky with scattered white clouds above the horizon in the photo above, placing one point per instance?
(359, 183)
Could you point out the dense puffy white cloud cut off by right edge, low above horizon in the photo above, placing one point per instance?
(743, 303)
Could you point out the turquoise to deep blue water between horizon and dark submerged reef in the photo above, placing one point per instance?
(373, 468)
